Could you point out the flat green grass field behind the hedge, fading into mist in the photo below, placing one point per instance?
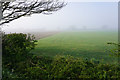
(85, 44)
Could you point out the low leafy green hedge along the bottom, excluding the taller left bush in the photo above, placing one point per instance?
(68, 67)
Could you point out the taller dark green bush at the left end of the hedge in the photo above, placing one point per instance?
(16, 48)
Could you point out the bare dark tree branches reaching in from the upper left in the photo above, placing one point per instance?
(16, 9)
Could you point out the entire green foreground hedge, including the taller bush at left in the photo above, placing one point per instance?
(19, 63)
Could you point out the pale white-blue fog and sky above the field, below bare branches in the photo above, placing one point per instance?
(76, 16)
